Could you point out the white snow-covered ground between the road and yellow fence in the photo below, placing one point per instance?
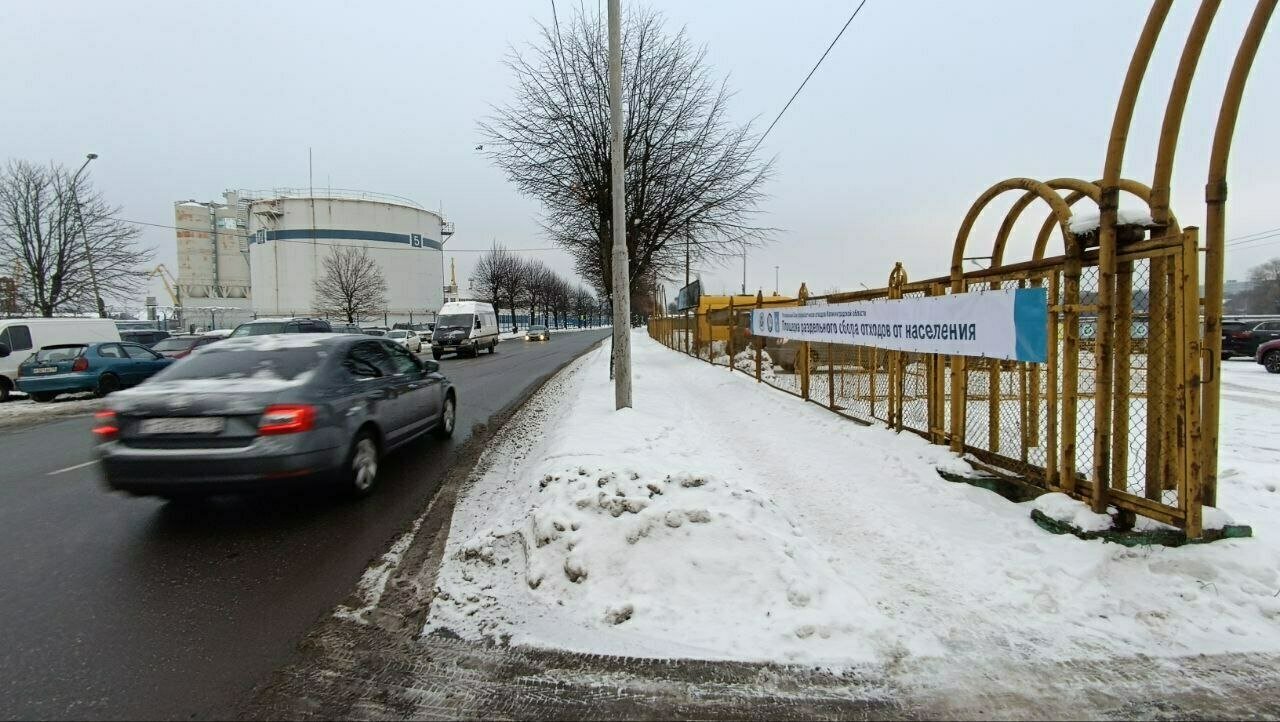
(725, 520)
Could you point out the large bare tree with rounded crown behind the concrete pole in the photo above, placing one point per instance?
(693, 180)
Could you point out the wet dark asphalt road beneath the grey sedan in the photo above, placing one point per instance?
(131, 609)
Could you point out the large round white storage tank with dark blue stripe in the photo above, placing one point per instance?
(292, 232)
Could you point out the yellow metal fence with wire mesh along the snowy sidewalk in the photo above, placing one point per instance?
(1035, 422)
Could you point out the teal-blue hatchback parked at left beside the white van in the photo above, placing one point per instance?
(76, 368)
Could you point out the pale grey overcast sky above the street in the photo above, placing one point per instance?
(921, 107)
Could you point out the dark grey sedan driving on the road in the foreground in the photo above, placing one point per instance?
(255, 414)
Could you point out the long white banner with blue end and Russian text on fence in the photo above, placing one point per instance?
(996, 325)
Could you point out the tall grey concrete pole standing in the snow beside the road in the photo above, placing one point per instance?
(621, 273)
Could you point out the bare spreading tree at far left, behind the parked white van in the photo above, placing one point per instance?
(43, 237)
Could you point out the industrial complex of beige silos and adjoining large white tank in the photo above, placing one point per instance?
(260, 253)
